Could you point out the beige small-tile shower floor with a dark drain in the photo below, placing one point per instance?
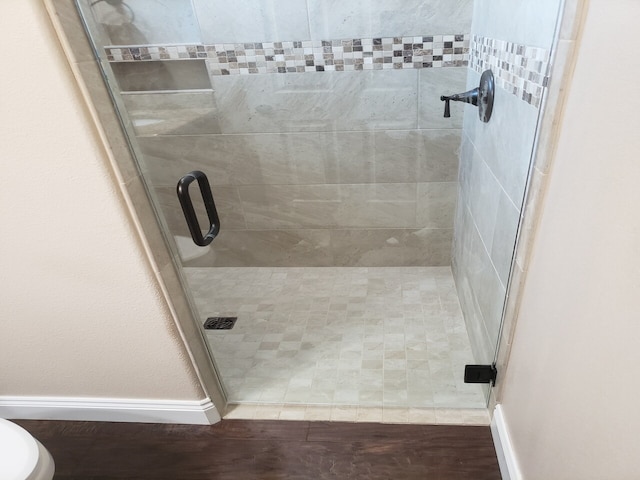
(347, 337)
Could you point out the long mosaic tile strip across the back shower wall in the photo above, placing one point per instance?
(431, 51)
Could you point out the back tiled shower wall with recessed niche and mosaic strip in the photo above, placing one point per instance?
(350, 168)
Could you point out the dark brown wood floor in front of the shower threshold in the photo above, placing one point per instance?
(243, 449)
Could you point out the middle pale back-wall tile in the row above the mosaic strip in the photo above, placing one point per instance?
(228, 21)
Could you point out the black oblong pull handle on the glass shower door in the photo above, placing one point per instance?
(190, 213)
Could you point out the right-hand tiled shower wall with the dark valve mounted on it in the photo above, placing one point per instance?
(514, 39)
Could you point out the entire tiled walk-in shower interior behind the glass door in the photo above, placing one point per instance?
(336, 179)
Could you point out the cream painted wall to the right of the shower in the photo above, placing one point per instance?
(571, 393)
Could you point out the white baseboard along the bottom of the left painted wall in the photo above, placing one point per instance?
(198, 412)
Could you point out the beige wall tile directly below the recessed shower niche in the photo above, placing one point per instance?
(172, 113)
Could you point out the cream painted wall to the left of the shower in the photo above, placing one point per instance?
(81, 313)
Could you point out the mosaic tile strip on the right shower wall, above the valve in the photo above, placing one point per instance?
(519, 69)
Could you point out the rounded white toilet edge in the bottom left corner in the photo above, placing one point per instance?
(22, 457)
